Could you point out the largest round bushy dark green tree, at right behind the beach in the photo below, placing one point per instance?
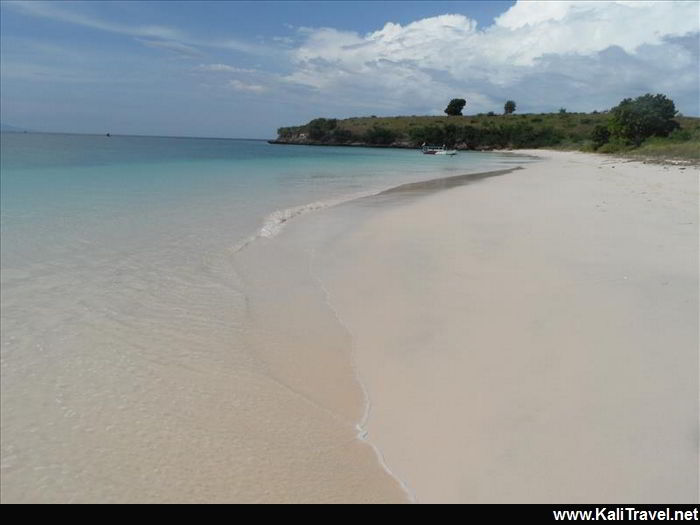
(645, 116)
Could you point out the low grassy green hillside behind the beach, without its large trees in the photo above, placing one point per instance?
(482, 132)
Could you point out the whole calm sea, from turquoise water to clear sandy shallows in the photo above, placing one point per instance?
(136, 363)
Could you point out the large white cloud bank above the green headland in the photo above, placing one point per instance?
(585, 55)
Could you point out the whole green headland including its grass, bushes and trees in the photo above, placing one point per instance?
(646, 126)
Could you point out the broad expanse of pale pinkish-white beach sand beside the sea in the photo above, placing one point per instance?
(532, 337)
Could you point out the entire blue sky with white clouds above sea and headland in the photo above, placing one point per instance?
(243, 69)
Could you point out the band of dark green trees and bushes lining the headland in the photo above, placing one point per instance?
(627, 125)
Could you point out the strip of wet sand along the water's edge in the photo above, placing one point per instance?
(286, 264)
